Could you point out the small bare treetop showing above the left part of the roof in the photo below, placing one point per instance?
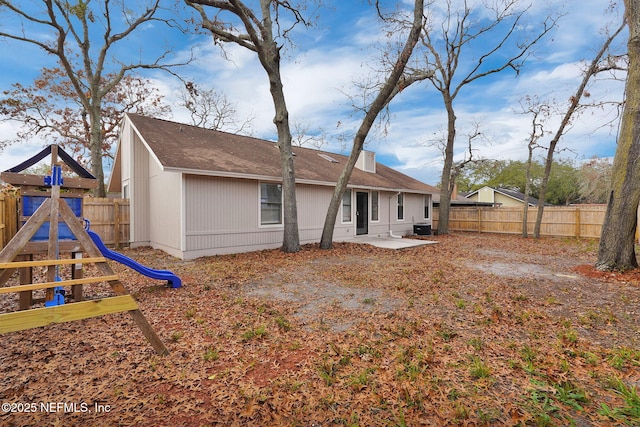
(212, 110)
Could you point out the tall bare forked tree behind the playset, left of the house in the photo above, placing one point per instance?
(82, 35)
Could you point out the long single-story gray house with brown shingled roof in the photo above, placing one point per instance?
(197, 192)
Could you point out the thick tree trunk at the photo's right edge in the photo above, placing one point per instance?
(617, 242)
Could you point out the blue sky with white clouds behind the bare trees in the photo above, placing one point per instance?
(319, 72)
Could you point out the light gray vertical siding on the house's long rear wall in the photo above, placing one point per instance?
(222, 216)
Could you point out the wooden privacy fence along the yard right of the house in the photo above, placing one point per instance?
(560, 221)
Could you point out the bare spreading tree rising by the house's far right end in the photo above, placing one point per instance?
(485, 46)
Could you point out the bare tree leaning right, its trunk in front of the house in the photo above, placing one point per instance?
(392, 86)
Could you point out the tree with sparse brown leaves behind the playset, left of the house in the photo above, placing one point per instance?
(50, 109)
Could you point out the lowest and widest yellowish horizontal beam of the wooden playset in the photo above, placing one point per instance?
(27, 319)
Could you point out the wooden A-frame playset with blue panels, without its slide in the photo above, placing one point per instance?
(52, 226)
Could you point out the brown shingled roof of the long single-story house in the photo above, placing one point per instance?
(190, 149)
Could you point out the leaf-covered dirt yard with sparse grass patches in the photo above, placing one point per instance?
(475, 330)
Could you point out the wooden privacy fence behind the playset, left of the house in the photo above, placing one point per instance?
(109, 219)
